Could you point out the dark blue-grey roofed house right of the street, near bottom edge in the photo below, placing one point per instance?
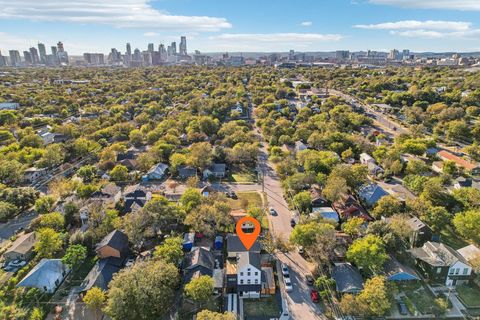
(347, 278)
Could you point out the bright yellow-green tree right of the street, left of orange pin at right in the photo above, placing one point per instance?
(368, 253)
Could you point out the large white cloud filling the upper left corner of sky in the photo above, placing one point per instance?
(118, 13)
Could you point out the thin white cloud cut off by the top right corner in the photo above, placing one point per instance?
(464, 5)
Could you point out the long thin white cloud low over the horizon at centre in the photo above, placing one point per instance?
(278, 37)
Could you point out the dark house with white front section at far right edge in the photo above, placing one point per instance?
(442, 264)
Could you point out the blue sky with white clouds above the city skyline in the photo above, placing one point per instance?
(248, 25)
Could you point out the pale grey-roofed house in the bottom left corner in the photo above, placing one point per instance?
(47, 275)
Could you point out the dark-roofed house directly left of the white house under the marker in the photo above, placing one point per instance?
(199, 262)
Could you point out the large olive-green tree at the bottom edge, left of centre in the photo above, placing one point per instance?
(144, 292)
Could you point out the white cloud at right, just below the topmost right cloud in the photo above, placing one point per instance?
(414, 24)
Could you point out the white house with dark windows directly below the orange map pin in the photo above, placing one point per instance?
(249, 275)
